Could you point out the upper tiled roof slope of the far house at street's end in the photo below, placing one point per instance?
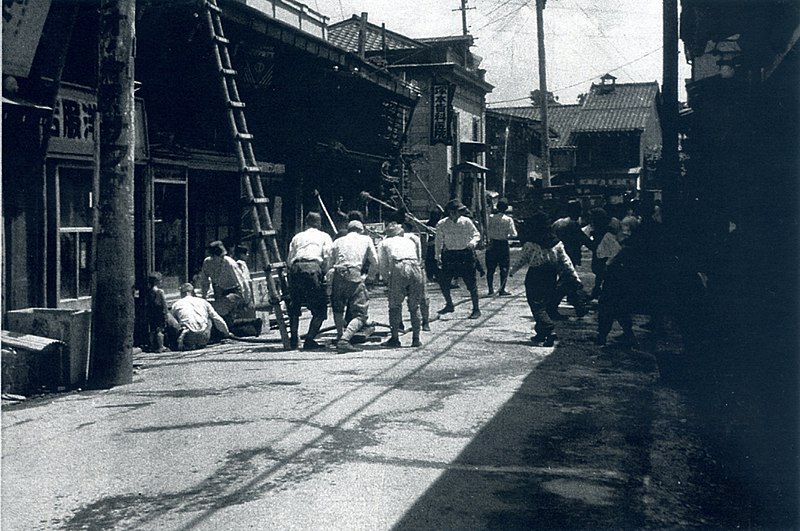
(625, 108)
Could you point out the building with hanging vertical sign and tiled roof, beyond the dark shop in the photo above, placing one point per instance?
(445, 146)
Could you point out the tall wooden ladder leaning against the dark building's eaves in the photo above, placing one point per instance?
(255, 203)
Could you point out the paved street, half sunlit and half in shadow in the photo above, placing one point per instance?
(476, 430)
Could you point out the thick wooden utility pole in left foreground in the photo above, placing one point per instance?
(113, 308)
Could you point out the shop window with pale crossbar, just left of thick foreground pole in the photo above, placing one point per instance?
(75, 232)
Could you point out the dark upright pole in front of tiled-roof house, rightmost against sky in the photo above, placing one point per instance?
(670, 163)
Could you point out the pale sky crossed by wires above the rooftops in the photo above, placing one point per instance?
(584, 39)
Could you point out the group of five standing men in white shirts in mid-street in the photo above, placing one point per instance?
(320, 267)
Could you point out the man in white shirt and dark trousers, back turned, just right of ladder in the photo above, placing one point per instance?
(308, 260)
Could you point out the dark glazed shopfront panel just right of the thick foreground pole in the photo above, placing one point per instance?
(169, 207)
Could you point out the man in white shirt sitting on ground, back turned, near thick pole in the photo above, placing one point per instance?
(191, 320)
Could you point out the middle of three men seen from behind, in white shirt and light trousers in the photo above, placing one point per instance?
(353, 254)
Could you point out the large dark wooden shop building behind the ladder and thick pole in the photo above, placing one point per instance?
(324, 121)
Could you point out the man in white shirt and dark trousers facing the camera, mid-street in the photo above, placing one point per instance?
(456, 239)
